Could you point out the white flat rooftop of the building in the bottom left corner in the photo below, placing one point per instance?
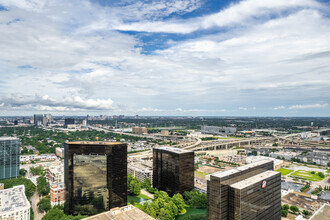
(13, 198)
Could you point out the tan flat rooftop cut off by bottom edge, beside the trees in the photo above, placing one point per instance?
(124, 213)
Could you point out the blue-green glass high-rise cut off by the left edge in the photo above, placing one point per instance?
(9, 157)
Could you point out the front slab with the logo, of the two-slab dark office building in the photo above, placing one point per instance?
(257, 197)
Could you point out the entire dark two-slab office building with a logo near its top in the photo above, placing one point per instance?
(248, 192)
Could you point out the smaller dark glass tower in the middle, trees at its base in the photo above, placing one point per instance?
(173, 169)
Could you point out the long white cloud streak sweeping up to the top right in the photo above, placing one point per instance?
(240, 13)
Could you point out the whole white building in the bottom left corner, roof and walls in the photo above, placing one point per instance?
(14, 204)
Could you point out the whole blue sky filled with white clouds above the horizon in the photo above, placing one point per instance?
(165, 57)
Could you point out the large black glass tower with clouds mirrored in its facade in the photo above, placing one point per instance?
(95, 176)
